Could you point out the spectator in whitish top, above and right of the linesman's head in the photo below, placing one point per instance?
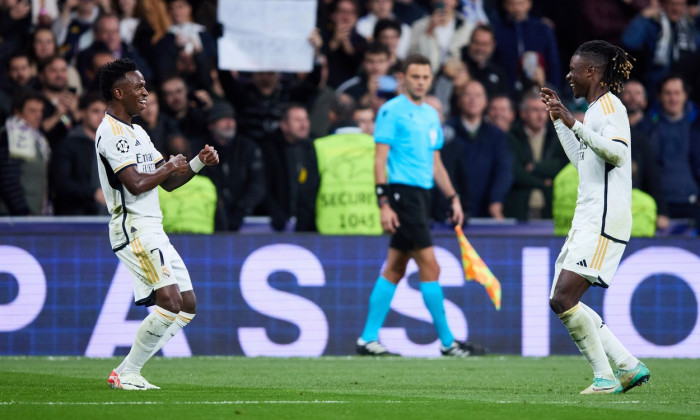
(442, 34)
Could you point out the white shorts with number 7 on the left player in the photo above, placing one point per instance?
(154, 263)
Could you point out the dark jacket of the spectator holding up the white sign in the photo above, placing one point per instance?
(257, 115)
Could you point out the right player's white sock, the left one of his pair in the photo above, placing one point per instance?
(583, 331)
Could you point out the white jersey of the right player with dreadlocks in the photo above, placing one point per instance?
(605, 189)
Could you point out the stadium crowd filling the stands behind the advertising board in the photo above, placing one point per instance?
(489, 59)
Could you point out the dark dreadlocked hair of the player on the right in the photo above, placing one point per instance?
(614, 61)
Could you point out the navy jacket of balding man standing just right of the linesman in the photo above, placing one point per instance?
(488, 164)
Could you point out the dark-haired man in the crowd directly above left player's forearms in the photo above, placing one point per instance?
(187, 109)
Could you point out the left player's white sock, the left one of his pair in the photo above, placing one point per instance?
(147, 337)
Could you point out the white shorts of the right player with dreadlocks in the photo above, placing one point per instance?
(591, 255)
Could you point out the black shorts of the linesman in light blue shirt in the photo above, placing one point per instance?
(412, 205)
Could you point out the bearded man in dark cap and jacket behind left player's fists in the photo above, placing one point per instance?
(239, 178)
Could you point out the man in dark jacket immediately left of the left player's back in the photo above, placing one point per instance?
(75, 182)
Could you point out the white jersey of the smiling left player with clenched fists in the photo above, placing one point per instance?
(120, 145)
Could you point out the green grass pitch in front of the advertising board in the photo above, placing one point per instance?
(491, 387)
